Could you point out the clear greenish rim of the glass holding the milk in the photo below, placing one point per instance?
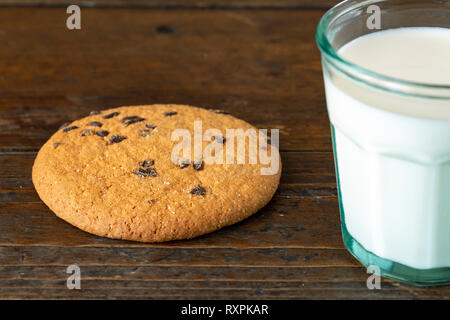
(399, 85)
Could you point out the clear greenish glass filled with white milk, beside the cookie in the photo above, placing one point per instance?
(386, 68)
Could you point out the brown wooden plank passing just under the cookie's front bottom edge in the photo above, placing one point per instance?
(301, 223)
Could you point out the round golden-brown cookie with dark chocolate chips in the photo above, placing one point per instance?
(124, 173)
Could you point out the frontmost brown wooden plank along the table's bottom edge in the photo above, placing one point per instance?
(204, 282)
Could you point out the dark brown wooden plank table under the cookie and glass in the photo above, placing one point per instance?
(257, 59)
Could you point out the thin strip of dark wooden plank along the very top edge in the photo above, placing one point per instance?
(227, 4)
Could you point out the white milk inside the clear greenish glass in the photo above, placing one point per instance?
(393, 150)
